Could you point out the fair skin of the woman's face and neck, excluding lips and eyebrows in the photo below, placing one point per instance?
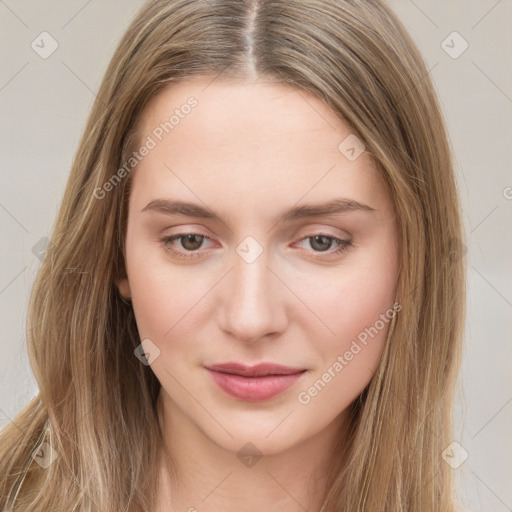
(249, 151)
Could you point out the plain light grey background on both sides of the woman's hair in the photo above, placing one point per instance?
(43, 107)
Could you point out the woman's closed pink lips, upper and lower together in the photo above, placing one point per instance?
(255, 383)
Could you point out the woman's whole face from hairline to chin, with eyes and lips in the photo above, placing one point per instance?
(258, 232)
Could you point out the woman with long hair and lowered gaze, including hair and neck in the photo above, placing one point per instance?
(254, 294)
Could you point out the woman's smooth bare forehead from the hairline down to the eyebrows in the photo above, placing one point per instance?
(255, 141)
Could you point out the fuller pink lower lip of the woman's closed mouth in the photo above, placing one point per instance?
(254, 389)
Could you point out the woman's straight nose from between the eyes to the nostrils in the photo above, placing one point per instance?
(252, 302)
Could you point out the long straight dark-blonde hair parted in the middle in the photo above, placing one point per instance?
(96, 406)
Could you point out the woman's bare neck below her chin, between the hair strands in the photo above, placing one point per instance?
(202, 475)
